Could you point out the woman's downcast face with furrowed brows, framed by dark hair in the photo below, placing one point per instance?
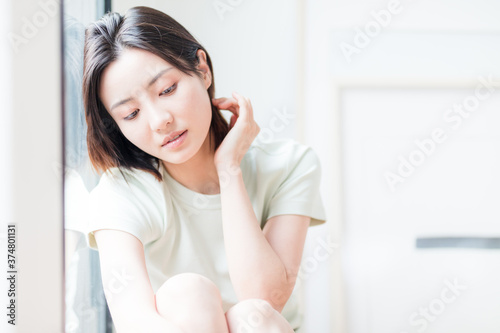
(147, 113)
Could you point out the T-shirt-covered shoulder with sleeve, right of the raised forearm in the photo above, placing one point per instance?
(286, 179)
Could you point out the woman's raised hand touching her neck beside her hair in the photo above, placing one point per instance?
(242, 131)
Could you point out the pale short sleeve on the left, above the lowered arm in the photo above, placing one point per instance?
(116, 204)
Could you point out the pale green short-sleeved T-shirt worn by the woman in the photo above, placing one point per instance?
(182, 229)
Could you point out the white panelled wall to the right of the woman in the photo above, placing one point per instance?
(396, 88)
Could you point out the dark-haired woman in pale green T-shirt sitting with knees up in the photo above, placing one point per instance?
(200, 227)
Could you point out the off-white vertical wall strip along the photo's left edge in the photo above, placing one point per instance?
(30, 173)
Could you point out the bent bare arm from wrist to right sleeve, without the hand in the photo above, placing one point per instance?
(259, 267)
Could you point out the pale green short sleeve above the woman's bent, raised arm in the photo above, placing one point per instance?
(298, 192)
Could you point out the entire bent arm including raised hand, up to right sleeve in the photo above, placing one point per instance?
(259, 267)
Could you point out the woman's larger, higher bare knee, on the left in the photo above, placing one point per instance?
(193, 302)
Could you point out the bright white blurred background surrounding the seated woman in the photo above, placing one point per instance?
(399, 99)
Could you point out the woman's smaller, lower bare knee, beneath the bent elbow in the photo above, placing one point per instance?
(256, 316)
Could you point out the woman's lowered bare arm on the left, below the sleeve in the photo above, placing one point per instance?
(126, 284)
